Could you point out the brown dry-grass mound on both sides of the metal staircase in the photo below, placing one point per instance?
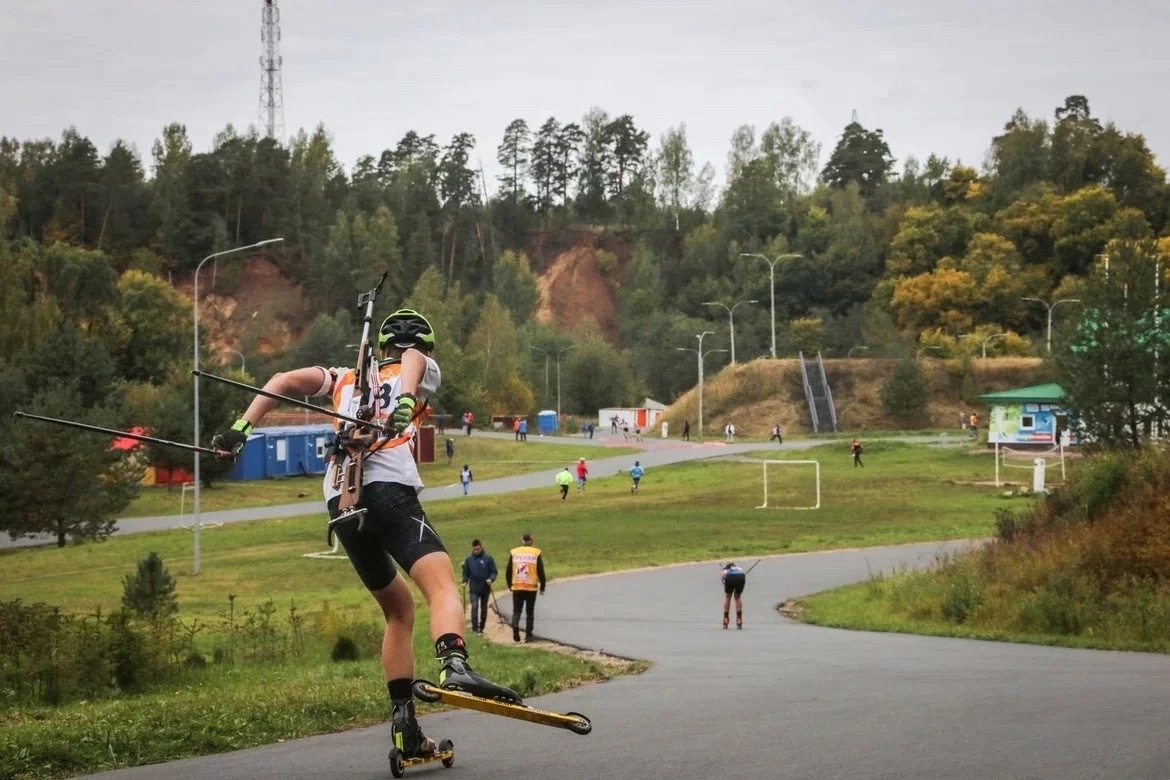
(759, 395)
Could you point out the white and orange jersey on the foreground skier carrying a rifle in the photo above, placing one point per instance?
(391, 459)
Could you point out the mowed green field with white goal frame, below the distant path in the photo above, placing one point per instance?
(905, 494)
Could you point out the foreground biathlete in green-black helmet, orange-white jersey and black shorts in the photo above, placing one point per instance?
(396, 528)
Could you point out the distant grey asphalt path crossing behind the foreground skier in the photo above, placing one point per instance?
(658, 452)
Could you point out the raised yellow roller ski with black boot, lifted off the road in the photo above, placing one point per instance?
(463, 688)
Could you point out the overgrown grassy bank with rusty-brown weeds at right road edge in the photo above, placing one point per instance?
(1089, 568)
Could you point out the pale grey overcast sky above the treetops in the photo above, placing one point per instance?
(937, 77)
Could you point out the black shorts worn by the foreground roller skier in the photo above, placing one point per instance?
(395, 530)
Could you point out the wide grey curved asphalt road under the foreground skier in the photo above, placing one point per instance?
(780, 700)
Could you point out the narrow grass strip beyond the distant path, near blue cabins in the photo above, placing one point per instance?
(488, 458)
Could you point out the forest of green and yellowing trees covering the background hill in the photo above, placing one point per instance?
(890, 253)
